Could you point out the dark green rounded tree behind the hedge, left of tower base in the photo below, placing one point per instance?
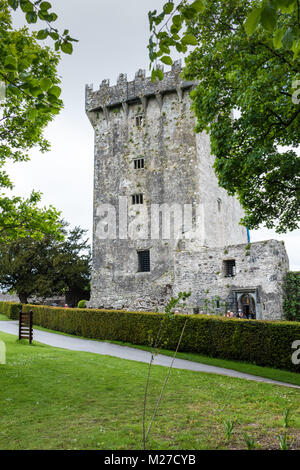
(46, 267)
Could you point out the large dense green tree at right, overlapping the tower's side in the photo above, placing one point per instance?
(246, 98)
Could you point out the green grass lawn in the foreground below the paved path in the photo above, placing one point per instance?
(56, 399)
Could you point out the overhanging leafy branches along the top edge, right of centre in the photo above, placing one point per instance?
(266, 14)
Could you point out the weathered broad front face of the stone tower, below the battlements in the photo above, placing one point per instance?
(164, 142)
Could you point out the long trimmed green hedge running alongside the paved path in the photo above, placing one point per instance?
(266, 343)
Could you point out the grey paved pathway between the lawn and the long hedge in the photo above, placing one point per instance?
(124, 352)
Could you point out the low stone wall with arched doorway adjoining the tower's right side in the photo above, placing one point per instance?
(260, 269)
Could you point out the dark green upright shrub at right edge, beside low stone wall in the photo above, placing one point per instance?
(291, 304)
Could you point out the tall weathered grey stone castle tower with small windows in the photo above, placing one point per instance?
(160, 220)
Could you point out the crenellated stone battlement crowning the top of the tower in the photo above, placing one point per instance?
(138, 90)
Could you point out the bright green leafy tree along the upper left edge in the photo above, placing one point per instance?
(32, 99)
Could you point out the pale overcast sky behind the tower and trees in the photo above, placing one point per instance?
(113, 38)
